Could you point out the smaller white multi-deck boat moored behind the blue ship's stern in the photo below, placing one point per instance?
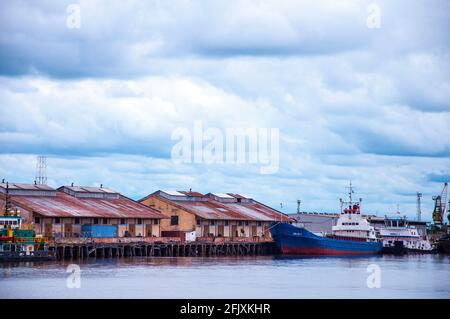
(401, 238)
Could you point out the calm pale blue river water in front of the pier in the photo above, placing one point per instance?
(426, 276)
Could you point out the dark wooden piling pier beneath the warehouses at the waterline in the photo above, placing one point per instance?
(177, 249)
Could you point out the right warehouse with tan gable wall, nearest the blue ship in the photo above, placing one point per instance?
(229, 215)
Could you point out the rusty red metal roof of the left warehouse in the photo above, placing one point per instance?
(65, 205)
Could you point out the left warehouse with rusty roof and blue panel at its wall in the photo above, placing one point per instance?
(72, 211)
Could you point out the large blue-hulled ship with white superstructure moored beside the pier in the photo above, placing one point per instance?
(352, 235)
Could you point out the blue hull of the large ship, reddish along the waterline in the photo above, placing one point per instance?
(293, 240)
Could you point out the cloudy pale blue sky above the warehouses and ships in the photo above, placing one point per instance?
(359, 90)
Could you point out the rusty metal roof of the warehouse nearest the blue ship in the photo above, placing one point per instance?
(208, 208)
